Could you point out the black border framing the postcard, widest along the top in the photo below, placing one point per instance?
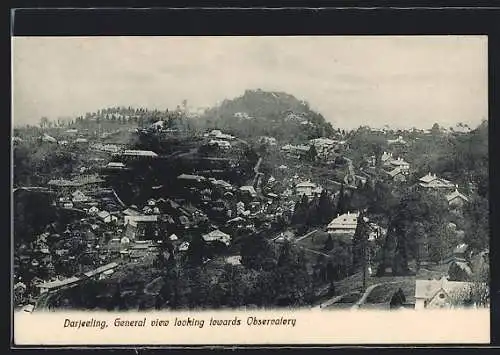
(280, 20)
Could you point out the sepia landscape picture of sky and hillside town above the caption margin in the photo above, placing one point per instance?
(191, 174)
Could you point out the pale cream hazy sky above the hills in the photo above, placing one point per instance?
(399, 81)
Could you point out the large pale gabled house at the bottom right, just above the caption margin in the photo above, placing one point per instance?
(431, 294)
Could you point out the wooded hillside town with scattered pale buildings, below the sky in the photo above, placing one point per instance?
(143, 209)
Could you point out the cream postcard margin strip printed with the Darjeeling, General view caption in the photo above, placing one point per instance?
(276, 327)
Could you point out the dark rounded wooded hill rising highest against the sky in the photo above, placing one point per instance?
(259, 112)
